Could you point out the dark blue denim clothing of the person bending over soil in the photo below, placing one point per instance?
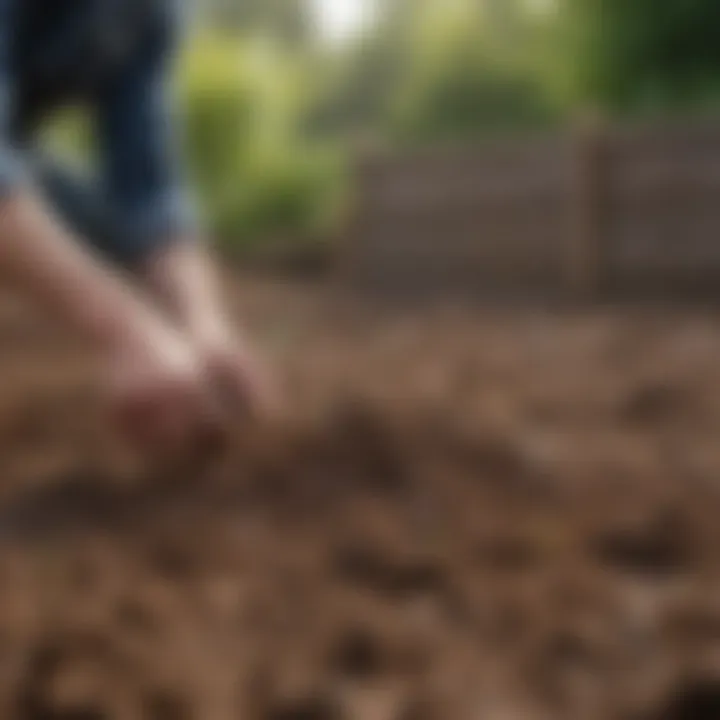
(113, 56)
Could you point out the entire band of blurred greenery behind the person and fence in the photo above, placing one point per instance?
(279, 95)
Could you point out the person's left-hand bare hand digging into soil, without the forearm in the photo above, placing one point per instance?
(159, 395)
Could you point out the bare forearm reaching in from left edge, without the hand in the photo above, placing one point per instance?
(43, 261)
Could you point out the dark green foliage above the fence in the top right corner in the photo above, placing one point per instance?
(645, 53)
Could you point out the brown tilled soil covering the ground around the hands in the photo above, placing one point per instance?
(465, 515)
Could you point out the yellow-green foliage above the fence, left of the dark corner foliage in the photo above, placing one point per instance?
(434, 72)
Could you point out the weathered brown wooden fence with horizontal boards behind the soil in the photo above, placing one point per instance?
(594, 211)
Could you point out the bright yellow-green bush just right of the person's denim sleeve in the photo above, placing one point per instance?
(244, 104)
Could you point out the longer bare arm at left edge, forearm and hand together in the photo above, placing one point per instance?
(154, 379)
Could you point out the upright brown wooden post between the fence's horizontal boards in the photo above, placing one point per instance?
(585, 258)
